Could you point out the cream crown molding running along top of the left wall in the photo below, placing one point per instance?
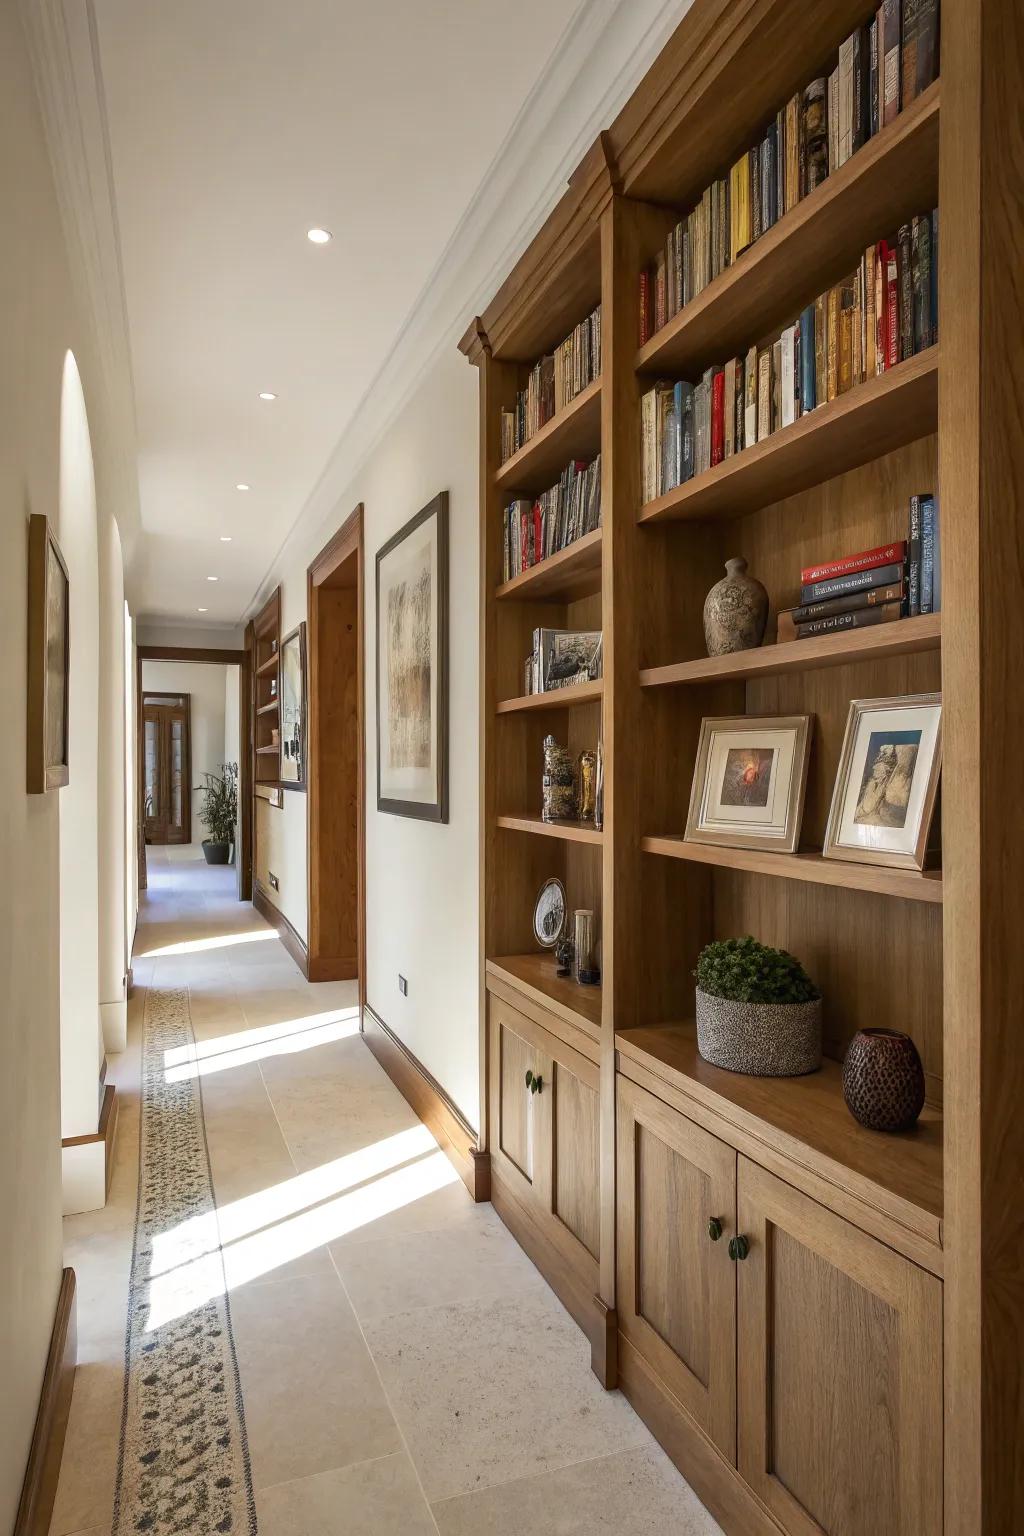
(64, 48)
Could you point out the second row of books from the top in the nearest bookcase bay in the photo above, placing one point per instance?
(882, 314)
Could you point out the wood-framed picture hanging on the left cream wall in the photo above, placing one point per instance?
(48, 764)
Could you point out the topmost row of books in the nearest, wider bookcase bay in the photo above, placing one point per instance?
(882, 68)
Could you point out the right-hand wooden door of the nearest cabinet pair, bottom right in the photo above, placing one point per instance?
(841, 1371)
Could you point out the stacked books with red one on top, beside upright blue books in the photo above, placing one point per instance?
(893, 581)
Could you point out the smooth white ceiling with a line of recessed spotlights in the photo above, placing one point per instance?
(234, 128)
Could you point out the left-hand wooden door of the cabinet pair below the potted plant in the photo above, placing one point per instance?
(676, 1296)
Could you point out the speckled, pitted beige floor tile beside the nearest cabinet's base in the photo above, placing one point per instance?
(486, 1389)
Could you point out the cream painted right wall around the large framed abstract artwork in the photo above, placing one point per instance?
(421, 878)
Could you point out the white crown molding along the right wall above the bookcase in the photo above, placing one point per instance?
(603, 56)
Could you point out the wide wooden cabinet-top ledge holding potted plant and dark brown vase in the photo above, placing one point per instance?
(807, 1121)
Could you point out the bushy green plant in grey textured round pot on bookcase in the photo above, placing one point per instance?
(758, 1010)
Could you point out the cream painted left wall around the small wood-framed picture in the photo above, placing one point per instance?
(41, 320)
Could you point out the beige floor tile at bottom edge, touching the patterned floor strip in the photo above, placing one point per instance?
(374, 1498)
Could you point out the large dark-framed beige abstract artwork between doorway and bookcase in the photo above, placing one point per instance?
(412, 667)
